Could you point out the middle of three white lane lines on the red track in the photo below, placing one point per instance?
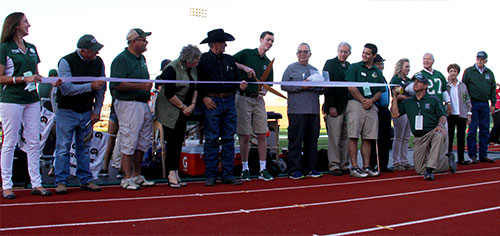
(240, 211)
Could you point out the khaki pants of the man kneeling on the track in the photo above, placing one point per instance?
(428, 152)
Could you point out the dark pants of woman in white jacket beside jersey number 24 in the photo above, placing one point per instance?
(461, 125)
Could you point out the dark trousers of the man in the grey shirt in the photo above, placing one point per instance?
(303, 129)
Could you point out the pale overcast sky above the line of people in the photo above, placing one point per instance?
(453, 30)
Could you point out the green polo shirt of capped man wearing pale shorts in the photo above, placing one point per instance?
(127, 65)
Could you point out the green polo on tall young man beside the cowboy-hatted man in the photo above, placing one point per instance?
(252, 59)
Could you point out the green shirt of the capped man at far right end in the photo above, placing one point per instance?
(481, 87)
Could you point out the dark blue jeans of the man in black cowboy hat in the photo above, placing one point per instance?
(220, 127)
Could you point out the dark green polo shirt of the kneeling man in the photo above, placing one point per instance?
(429, 107)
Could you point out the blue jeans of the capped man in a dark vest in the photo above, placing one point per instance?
(68, 123)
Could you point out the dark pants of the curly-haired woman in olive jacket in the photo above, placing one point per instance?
(174, 138)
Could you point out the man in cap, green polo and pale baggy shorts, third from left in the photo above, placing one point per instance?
(132, 109)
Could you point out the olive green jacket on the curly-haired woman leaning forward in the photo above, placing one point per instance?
(166, 113)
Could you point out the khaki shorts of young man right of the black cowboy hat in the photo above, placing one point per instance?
(251, 115)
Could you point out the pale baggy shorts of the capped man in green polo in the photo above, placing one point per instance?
(135, 126)
